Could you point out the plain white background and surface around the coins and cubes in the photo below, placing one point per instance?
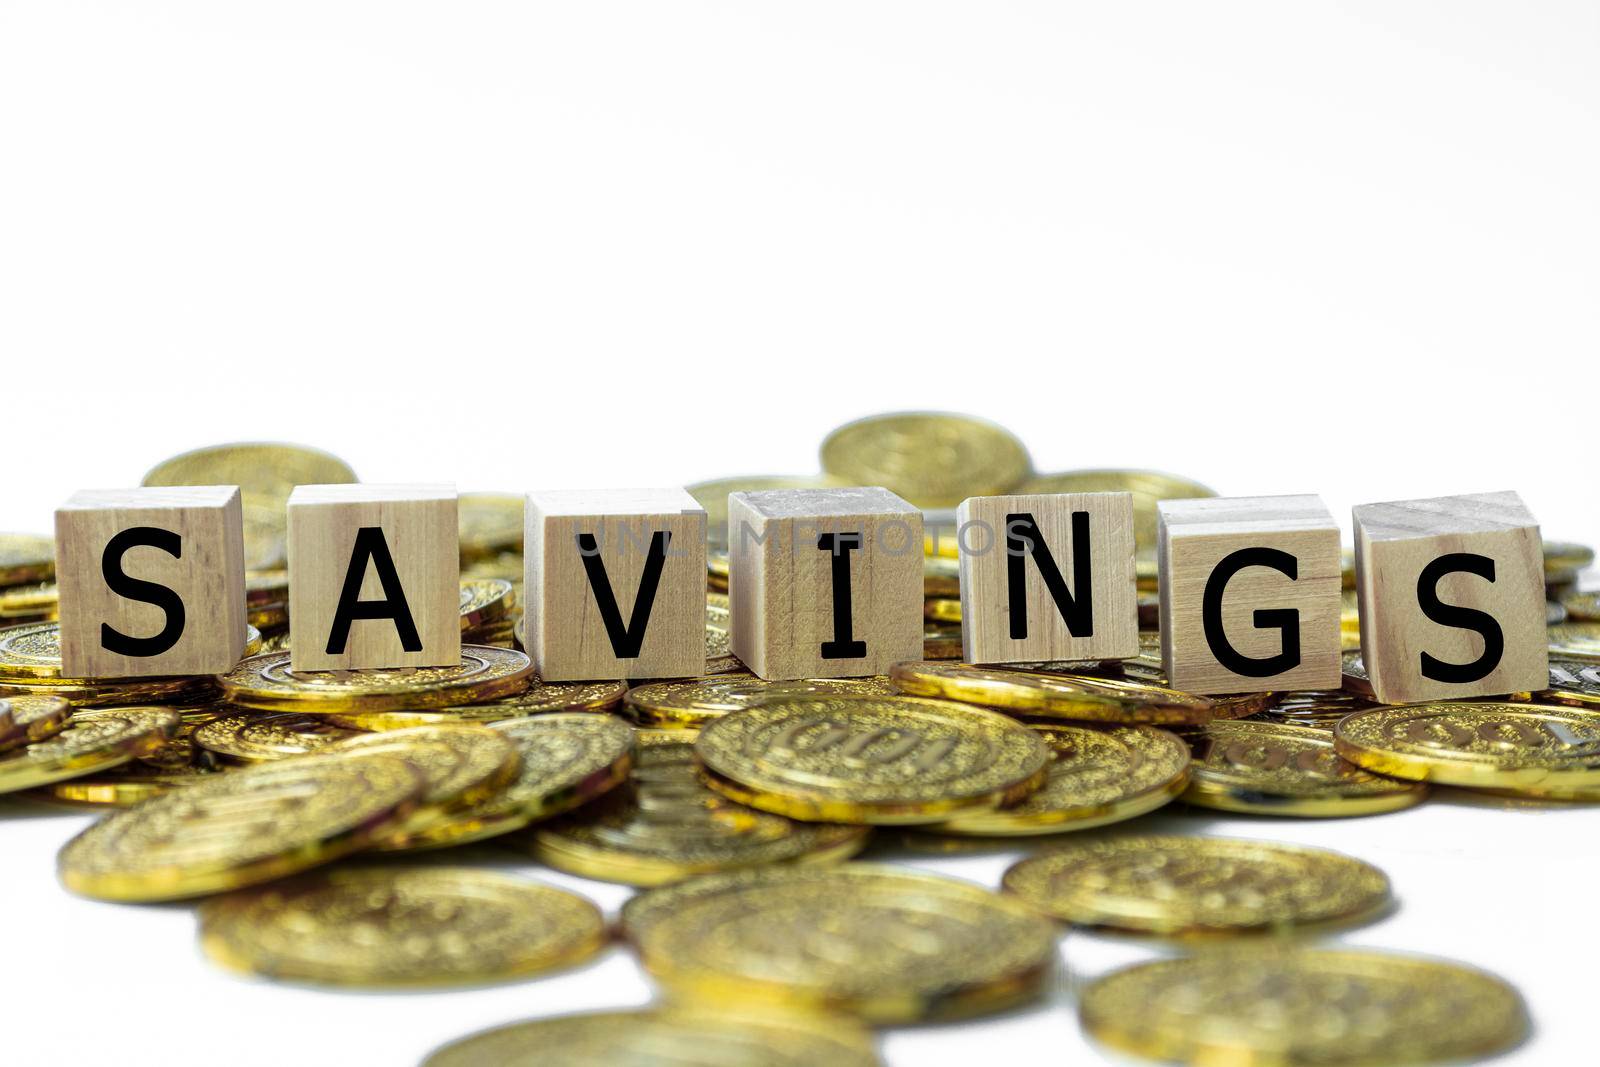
(1343, 249)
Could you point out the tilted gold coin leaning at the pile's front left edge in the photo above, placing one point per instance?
(241, 829)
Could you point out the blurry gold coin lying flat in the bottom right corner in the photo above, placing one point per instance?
(1284, 1005)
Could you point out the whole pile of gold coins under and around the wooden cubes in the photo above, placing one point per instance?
(740, 807)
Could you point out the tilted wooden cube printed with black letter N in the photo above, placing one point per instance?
(1047, 578)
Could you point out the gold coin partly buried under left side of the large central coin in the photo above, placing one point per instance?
(666, 826)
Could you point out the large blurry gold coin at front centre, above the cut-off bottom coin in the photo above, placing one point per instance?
(879, 943)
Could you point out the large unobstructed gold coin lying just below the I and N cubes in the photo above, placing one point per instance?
(890, 761)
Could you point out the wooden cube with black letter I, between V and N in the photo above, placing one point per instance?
(825, 583)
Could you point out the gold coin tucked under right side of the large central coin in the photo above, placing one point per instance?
(1100, 775)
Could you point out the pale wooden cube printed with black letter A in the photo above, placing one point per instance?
(375, 577)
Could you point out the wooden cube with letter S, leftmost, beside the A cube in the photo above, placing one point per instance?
(153, 581)
